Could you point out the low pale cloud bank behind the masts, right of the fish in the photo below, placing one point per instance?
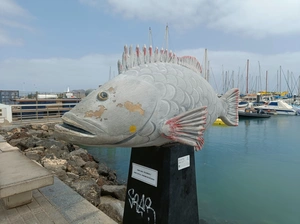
(235, 62)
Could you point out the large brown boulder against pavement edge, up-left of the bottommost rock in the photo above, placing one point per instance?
(88, 189)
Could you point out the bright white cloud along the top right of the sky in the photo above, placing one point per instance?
(256, 18)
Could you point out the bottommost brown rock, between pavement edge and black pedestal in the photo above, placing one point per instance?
(112, 207)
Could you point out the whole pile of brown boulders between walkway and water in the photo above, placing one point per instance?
(73, 165)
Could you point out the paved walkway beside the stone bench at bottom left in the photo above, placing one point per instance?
(58, 204)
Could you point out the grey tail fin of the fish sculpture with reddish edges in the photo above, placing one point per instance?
(231, 101)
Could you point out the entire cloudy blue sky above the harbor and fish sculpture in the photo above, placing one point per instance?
(49, 46)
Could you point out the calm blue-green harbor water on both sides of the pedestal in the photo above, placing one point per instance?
(248, 174)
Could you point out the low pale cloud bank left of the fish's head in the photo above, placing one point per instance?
(56, 73)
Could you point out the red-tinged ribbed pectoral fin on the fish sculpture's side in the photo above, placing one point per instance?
(187, 128)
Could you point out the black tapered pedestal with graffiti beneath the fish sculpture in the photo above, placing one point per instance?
(161, 186)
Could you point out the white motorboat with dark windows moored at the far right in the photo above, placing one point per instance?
(281, 108)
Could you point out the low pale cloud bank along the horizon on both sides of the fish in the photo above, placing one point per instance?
(92, 70)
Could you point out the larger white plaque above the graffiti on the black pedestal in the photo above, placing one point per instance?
(144, 174)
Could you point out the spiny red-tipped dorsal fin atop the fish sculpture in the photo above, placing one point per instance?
(131, 58)
